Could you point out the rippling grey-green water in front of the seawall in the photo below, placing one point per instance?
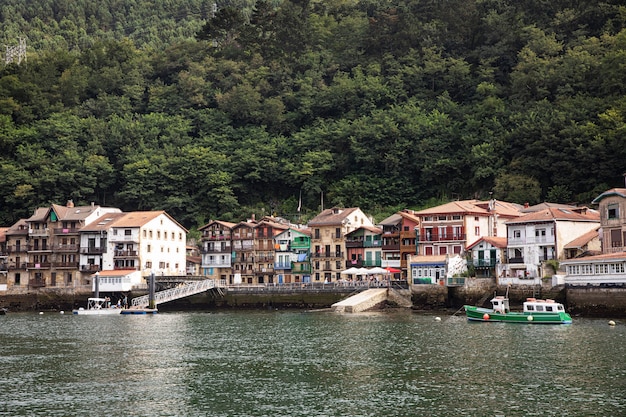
(275, 363)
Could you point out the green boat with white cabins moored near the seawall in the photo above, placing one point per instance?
(535, 312)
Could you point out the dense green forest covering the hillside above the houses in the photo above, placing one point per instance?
(216, 111)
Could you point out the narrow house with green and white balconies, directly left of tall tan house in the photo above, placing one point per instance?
(292, 259)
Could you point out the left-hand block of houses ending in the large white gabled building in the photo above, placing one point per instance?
(62, 247)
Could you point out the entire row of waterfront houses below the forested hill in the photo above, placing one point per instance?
(63, 246)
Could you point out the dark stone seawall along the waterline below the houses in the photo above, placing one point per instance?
(583, 301)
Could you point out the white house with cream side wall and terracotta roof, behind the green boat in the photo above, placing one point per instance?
(539, 237)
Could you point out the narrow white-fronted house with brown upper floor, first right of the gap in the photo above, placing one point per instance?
(217, 250)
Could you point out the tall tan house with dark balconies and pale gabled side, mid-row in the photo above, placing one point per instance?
(328, 230)
